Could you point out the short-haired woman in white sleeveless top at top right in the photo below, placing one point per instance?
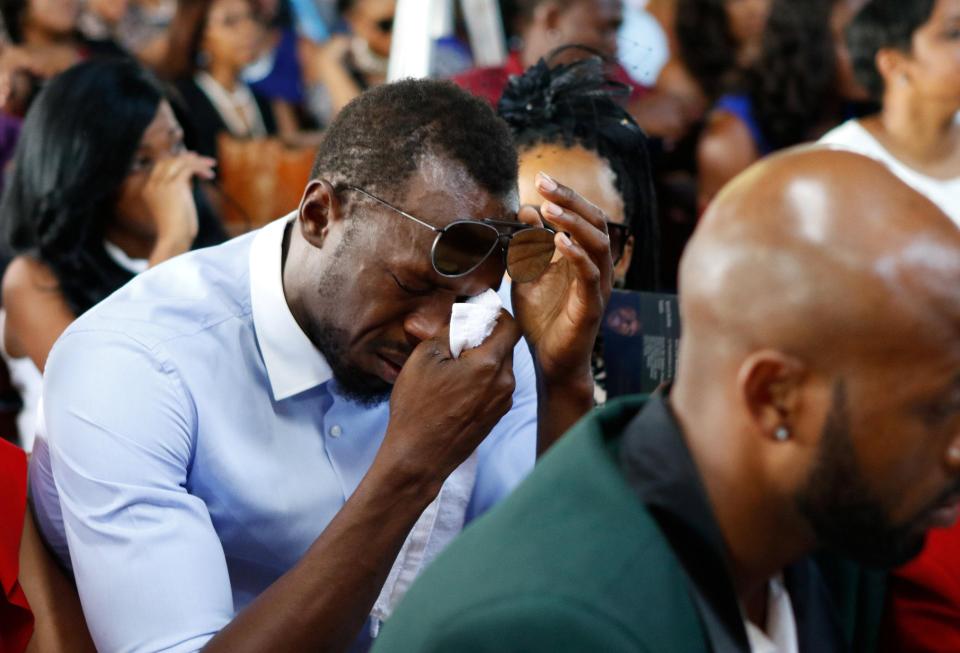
(908, 55)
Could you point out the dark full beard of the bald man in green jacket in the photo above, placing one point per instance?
(837, 503)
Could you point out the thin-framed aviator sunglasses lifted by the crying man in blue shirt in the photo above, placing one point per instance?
(463, 245)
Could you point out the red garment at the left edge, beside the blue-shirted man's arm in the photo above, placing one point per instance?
(16, 620)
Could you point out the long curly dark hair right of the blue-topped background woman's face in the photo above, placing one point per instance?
(793, 82)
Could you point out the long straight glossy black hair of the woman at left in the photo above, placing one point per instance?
(76, 147)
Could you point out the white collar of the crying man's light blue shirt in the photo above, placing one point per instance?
(293, 363)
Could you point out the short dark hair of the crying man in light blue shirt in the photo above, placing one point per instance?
(380, 139)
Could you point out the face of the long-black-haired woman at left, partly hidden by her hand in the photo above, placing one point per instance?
(162, 138)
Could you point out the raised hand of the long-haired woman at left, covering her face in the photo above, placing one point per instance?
(168, 195)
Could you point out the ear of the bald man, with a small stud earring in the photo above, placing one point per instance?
(771, 384)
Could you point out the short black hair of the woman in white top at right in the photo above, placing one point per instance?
(879, 25)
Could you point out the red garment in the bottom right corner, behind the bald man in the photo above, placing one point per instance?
(923, 608)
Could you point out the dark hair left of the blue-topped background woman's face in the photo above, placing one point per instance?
(707, 47)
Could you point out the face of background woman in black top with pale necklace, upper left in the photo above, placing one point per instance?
(232, 35)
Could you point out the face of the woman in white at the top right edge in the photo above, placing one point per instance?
(933, 66)
